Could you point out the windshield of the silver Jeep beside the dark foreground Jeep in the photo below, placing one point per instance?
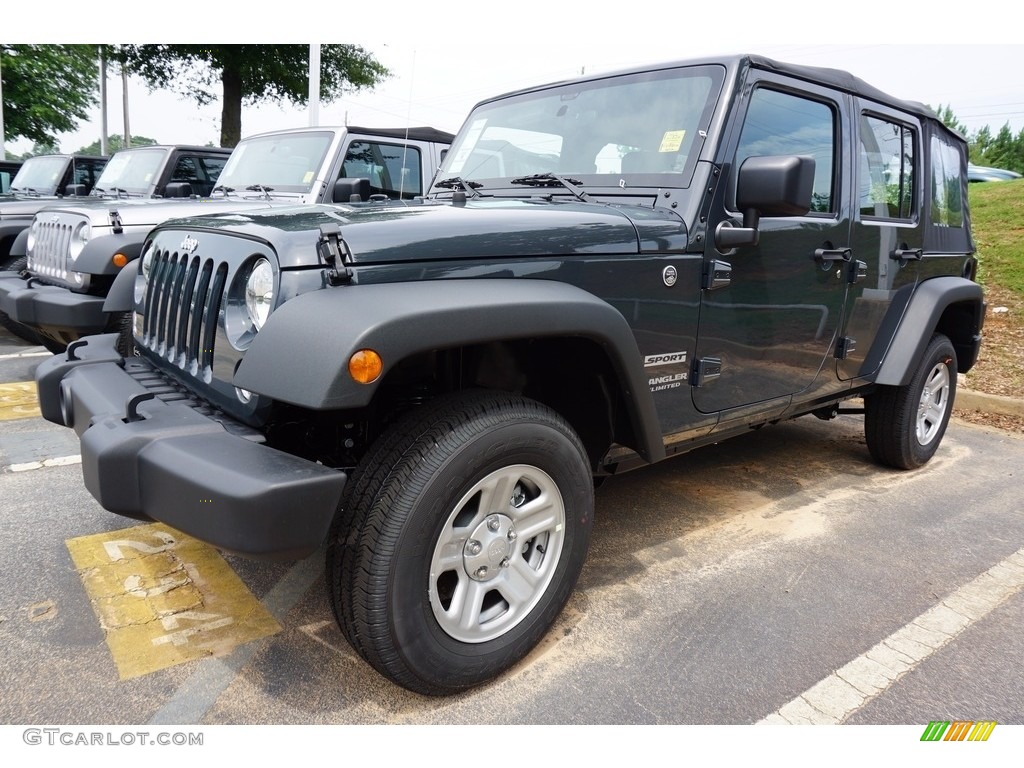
(283, 163)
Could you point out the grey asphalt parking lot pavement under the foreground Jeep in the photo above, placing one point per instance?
(779, 578)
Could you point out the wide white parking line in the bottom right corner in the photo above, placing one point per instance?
(850, 688)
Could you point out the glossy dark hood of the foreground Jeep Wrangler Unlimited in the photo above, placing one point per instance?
(491, 229)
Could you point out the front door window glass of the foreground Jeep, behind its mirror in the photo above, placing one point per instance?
(780, 123)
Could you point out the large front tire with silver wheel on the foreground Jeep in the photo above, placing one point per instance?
(459, 540)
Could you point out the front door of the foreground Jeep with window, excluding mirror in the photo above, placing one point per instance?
(767, 332)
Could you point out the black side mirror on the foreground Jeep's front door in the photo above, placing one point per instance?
(774, 186)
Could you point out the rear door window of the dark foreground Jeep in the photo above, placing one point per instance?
(886, 168)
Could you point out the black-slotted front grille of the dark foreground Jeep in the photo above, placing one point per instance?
(183, 304)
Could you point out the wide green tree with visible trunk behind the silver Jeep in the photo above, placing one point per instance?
(249, 74)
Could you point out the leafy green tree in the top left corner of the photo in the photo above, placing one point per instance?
(48, 90)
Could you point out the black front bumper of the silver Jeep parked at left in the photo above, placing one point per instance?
(39, 306)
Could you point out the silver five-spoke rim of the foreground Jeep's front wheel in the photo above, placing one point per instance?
(497, 553)
